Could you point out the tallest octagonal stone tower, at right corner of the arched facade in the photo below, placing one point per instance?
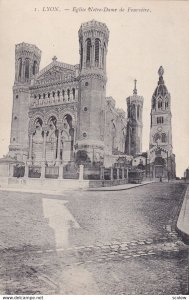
(93, 42)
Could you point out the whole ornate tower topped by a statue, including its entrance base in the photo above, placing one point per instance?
(161, 154)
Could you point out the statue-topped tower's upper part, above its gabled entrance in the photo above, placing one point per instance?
(160, 127)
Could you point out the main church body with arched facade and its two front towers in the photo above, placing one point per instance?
(61, 113)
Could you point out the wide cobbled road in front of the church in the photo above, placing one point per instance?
(121, 242)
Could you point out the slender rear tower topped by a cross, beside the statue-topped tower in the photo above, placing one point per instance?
(134, 123)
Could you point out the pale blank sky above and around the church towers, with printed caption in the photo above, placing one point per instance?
(139, 43)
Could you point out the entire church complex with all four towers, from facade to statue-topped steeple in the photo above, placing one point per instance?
(62, 118)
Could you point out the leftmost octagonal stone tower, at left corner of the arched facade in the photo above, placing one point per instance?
(27, 60)
